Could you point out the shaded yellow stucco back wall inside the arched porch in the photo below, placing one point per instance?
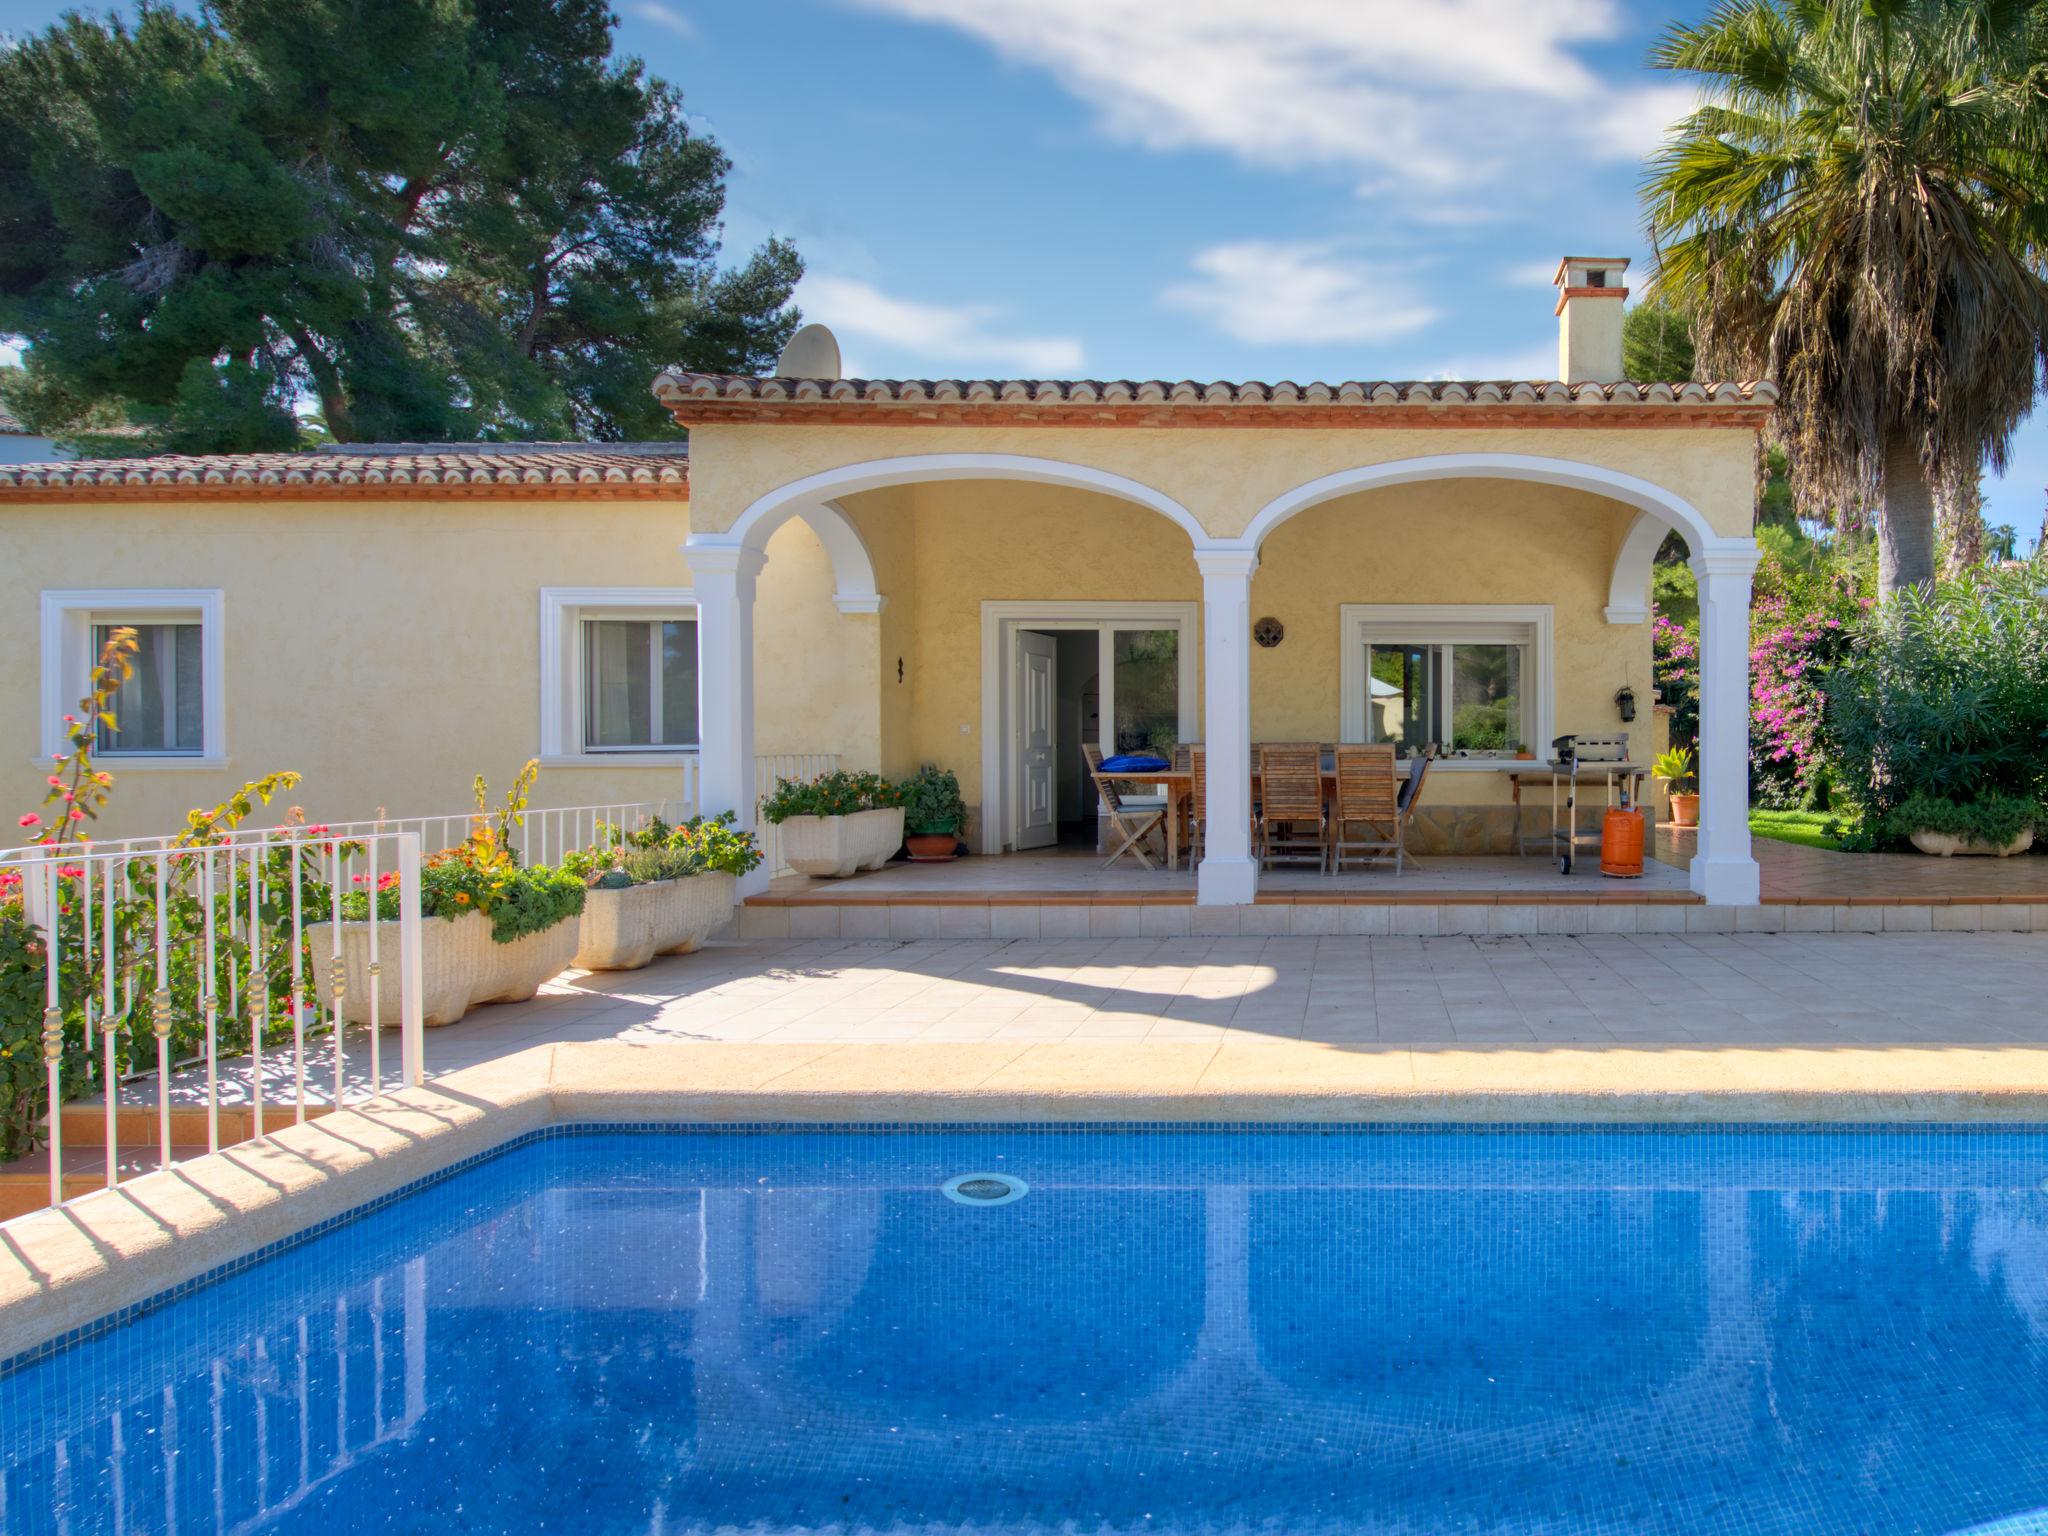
(943, 550)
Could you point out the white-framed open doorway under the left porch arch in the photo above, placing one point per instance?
(1064, 677)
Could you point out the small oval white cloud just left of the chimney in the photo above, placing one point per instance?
(1275, 292)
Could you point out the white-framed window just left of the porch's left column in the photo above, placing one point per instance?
(617, 675)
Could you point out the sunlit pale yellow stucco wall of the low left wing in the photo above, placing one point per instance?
(390, 650)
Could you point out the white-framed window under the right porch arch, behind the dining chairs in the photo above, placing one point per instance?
(1469, 681)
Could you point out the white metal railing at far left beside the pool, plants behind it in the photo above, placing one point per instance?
(210, 951)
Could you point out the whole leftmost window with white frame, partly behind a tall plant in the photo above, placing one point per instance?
(171, 710)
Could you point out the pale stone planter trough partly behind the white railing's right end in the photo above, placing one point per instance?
(460, 966)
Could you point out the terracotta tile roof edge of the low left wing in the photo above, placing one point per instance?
(376, 470)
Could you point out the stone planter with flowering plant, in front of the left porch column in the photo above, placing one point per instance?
(658, 890)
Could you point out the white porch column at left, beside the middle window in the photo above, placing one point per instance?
(724, 579)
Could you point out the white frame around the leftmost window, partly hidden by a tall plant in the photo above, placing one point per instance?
(69, 658)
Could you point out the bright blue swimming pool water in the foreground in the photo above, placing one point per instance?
(1170, 1332)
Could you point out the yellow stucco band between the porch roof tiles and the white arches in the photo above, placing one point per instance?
(1224, 476)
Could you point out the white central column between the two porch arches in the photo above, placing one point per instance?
(1228, 878)
